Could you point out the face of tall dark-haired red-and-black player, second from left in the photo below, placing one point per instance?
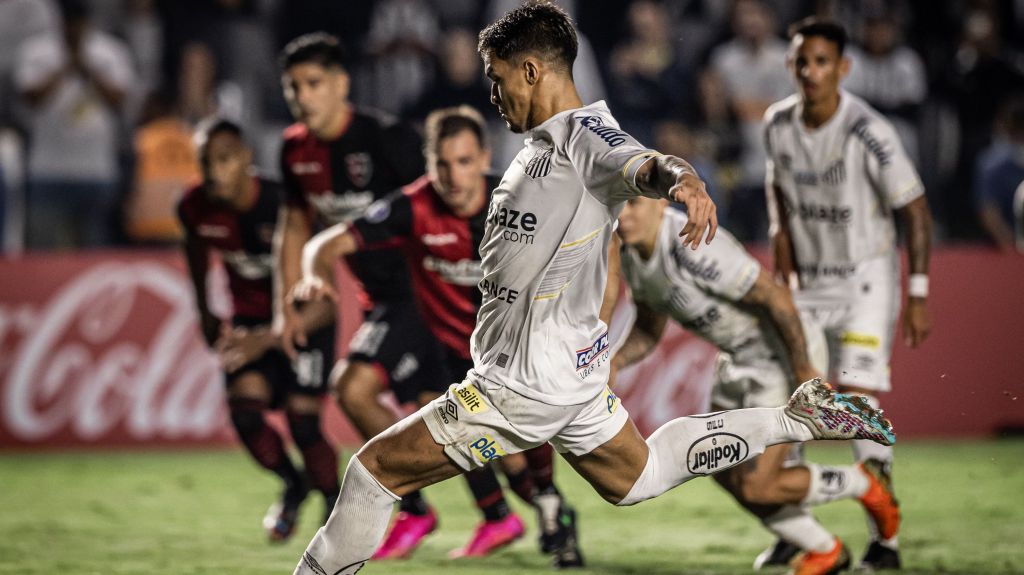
(317, 96)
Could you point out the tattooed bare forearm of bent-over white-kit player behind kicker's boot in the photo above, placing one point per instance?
(777, 301)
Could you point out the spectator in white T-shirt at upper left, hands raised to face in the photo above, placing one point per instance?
(75, 84)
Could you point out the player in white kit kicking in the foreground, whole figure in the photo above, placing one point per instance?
(541, 353)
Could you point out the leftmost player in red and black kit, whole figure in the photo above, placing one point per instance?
(233, 213)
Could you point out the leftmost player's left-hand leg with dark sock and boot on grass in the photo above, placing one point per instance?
(249, 395)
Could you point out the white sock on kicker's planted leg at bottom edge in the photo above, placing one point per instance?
(356, 528)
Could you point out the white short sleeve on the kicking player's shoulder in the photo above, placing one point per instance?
(606, 157)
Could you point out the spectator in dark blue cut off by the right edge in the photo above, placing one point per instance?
(1000, 172)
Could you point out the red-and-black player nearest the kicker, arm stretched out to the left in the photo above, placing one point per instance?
(440, 222)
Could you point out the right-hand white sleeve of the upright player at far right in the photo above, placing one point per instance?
(888, 165)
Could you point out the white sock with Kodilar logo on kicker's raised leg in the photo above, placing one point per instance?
(701, 446)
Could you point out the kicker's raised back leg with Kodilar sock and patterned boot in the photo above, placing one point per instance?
(627, 470)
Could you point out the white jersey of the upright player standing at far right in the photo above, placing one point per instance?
(840, 186)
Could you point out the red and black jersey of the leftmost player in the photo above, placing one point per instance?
(244, 241)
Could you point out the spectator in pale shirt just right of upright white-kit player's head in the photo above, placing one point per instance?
(890, 76)
